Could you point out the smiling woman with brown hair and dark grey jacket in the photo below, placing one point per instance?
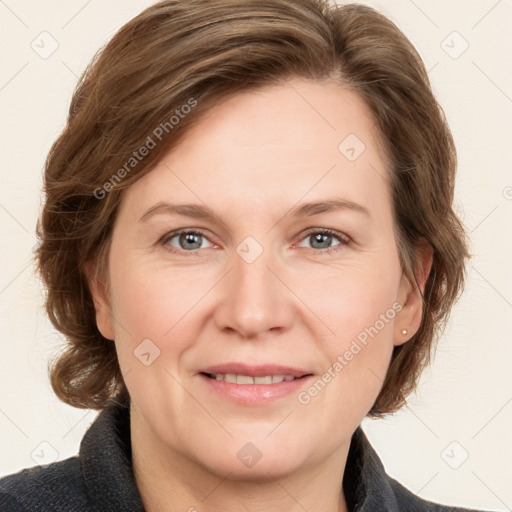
(299, 150)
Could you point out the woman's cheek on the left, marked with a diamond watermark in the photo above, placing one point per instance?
(154, 326)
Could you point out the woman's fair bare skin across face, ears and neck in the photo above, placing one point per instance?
(251, 159)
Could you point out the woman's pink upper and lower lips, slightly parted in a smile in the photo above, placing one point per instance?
(255, 394)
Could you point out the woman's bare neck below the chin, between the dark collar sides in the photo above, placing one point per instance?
(167, 479)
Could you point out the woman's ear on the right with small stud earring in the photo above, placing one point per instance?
(409, 317)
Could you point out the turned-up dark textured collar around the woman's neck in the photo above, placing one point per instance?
(105, 458)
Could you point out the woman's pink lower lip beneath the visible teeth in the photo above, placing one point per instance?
(255, 394)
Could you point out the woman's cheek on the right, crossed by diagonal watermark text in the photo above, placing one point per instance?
(358, 307)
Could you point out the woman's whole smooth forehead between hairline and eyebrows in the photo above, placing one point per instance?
(274, 144)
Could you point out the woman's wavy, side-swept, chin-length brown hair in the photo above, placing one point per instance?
(196, 53)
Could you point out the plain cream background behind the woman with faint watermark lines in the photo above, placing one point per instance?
(453, 442)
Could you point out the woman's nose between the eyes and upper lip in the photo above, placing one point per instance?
(254, 297)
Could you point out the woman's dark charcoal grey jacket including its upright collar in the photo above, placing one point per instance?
(100, 478)
